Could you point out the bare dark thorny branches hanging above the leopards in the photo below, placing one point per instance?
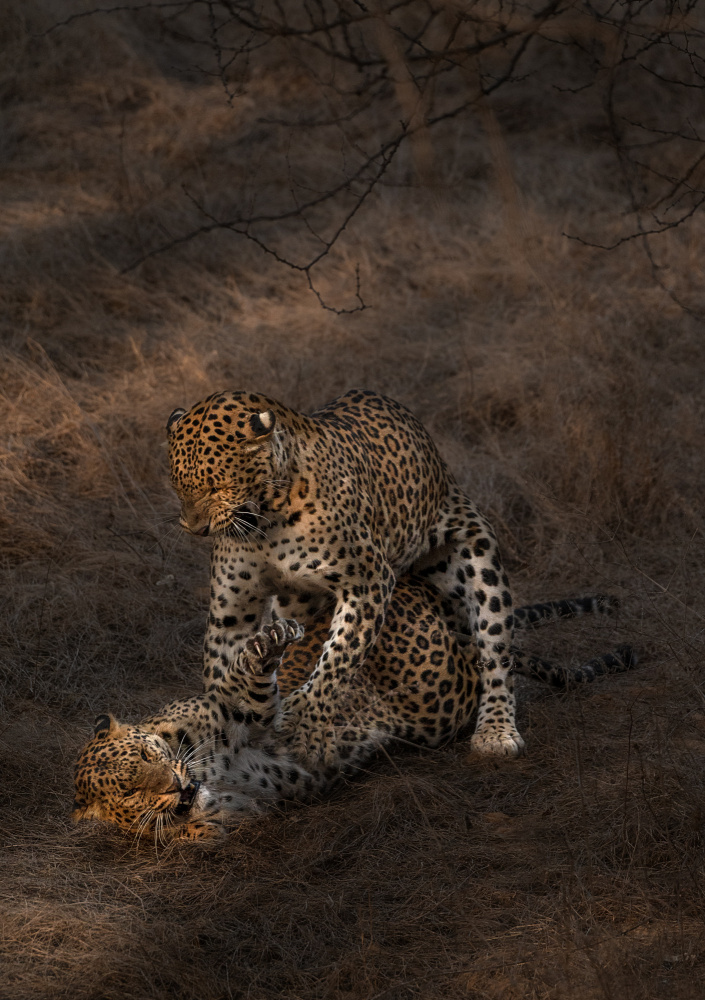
(388, 73)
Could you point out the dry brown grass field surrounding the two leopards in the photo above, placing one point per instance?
(563, 384)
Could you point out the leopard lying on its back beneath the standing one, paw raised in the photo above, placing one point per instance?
(202, 764)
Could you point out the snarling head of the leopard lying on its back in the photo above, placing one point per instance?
(129, 777)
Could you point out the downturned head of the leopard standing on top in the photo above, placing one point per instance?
(222, 454)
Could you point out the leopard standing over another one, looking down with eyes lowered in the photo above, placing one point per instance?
(309, 513)
